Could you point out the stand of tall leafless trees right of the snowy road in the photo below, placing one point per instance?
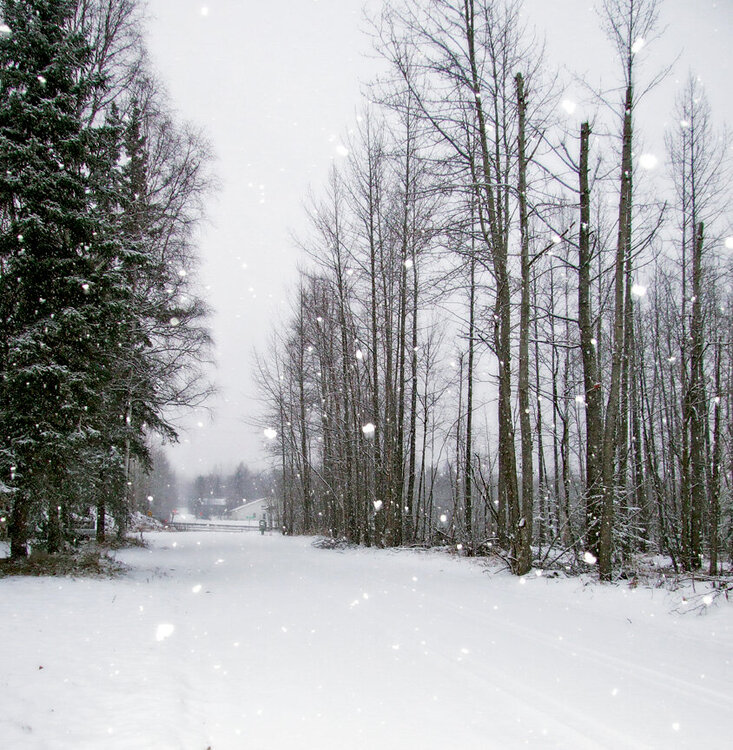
(504, 339)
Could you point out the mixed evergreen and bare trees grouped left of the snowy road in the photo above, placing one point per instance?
(102, 332)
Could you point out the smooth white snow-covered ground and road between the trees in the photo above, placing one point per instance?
(244, 641)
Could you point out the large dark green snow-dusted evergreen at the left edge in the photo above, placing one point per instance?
(60, 281)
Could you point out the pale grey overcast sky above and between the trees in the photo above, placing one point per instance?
(276, 87)
